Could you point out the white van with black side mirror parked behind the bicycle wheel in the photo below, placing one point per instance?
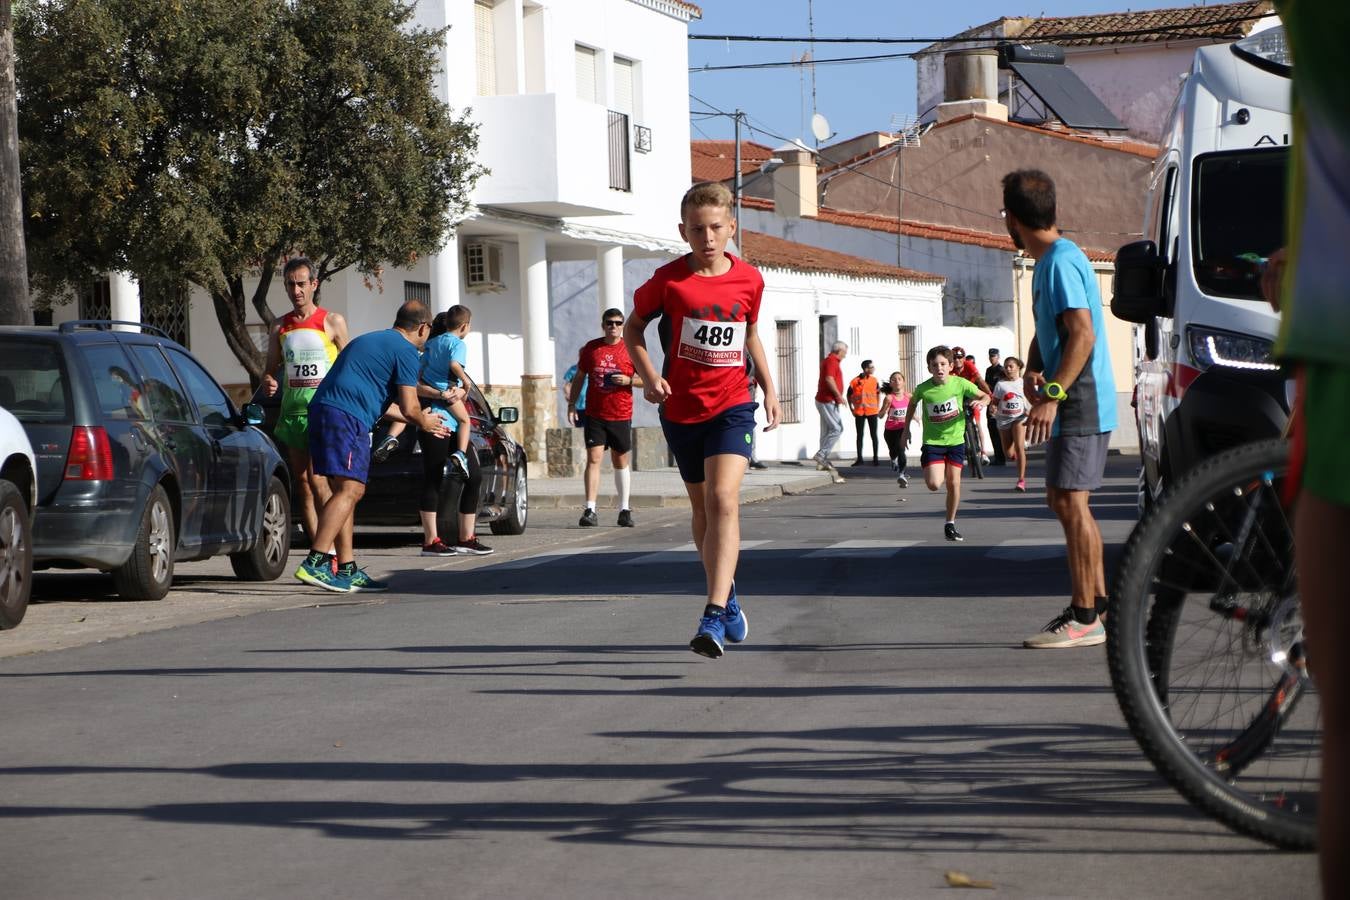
(1205, 376)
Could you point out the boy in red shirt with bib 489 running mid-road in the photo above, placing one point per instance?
(709, 303)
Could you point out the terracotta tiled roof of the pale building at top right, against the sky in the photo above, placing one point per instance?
(1225, 22)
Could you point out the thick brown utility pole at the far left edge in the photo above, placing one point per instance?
(16, 307)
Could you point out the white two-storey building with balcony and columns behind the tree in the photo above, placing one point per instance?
(584, 126)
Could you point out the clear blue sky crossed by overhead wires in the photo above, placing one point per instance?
(855, 98)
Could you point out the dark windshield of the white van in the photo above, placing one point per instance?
(1240, 219)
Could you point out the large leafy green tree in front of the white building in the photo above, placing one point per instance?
(209, 140)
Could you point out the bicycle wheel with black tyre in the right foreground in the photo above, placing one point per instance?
(1208, 655)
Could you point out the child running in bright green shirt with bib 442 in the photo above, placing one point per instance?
(943, 455)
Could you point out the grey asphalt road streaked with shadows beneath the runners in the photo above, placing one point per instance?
(531, 725)
